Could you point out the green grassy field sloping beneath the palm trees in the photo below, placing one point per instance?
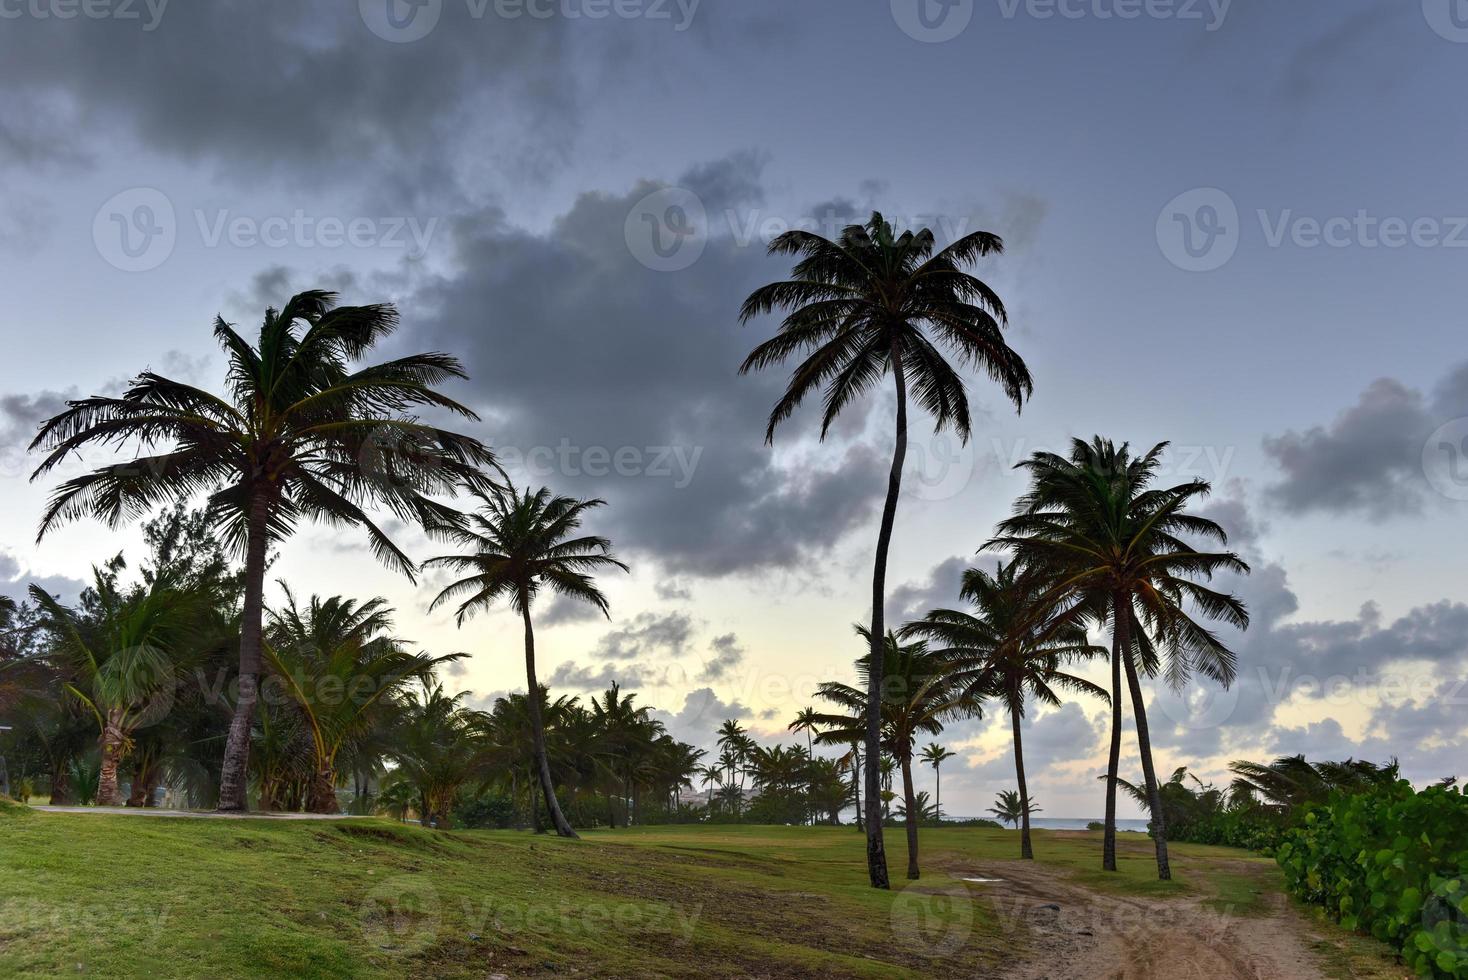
(180, 899)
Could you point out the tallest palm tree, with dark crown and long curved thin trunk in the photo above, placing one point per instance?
(870, 303)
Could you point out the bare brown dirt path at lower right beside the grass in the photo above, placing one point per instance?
(1075, 932)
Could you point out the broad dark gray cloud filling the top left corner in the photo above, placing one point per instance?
(224, 83)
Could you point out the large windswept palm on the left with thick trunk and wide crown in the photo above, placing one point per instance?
(300, 436)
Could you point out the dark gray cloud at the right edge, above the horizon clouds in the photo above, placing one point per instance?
(1370, 458)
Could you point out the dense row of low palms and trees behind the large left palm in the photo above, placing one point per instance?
(134, 687)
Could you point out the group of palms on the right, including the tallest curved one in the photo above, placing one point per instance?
(1093, 544)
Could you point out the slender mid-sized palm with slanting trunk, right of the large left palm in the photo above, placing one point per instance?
(519, 545)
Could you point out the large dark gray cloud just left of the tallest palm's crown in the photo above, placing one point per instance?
(579, 354)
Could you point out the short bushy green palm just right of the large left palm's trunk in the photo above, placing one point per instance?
(338, 664)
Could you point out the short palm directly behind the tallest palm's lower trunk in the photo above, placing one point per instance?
(918, 698)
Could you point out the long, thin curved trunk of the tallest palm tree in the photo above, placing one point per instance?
(876, 850)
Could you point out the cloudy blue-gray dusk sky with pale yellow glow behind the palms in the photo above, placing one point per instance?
(1234, 227)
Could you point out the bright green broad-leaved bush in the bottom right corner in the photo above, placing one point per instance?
(1392, 863)
